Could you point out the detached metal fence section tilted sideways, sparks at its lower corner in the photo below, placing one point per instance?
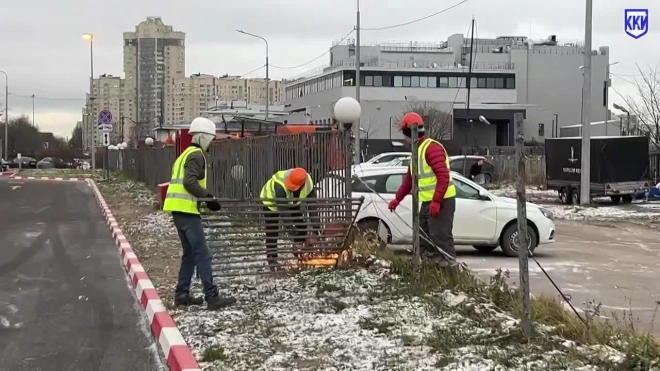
(246, 238)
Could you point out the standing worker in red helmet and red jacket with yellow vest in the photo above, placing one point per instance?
(437, 191)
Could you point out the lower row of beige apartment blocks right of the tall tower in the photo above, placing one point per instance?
(190, 96)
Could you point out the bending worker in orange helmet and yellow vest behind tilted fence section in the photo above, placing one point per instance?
(281, 196)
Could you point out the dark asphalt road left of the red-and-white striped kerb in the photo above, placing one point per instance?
(65, 303)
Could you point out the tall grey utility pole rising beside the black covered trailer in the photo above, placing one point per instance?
(585, 170)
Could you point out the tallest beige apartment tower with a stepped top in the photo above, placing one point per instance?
(153, 55)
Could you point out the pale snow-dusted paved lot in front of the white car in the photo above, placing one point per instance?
(616, 264)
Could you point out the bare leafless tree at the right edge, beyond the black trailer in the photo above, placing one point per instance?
(645, 104)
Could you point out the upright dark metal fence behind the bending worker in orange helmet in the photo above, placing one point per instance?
(239, 168)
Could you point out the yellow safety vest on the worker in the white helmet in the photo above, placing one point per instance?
(178, 198)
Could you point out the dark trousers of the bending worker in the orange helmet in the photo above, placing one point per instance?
(293, 223)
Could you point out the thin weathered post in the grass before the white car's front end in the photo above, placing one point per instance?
(523, 266)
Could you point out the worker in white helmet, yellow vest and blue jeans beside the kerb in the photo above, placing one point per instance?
(187, 186)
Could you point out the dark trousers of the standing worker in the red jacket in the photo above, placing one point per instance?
(439, 228)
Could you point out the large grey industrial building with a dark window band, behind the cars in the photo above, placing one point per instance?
(541, 79)
